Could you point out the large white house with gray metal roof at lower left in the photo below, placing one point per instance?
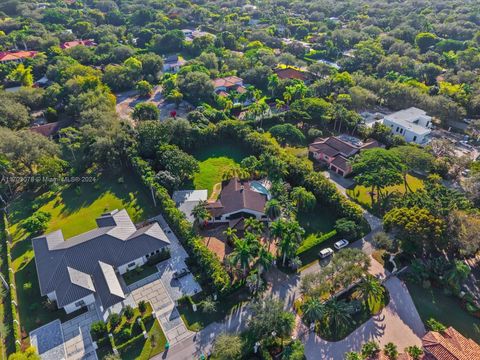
(85, 269)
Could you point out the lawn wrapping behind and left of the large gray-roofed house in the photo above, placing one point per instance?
(73, 210)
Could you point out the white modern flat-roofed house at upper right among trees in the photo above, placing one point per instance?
(413, 124)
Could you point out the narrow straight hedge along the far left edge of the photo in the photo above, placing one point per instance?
(12, 293)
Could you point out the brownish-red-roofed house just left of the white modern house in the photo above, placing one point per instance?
(337, 151)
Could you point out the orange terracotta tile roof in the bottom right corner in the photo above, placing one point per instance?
(450, 345)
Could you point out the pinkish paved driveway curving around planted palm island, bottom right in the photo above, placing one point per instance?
(398, 322)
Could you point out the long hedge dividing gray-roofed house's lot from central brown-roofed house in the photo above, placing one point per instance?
(212, 270)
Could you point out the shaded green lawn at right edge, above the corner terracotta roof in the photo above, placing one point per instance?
(433, 303)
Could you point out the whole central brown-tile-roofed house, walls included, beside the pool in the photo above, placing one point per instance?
(237, 200)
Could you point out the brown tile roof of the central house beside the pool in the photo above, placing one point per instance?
(237, 195)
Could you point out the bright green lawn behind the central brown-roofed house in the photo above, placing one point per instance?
(213, 161)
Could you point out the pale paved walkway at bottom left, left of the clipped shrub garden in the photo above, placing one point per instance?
(76, 333)
